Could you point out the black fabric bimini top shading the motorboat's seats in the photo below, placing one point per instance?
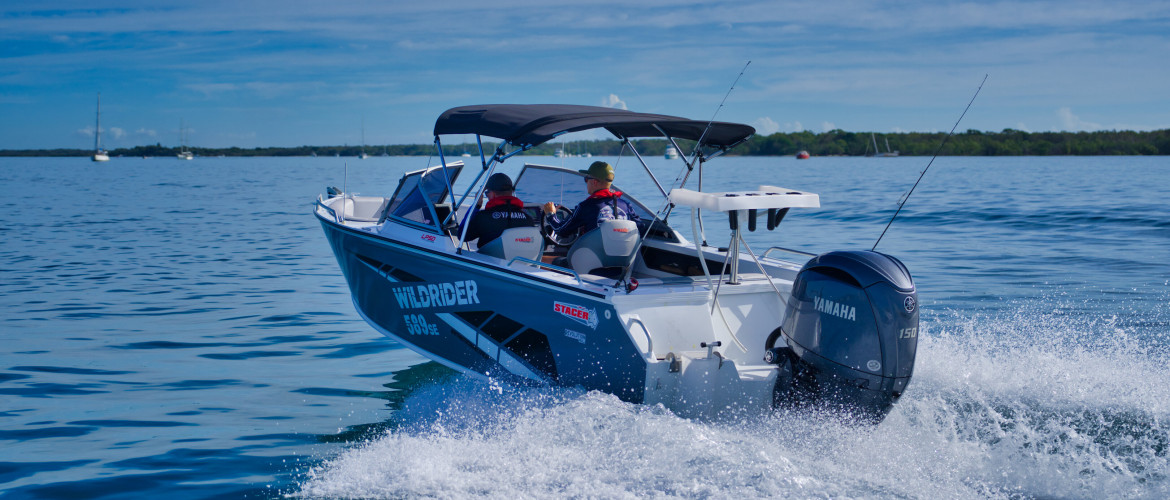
(528, 126)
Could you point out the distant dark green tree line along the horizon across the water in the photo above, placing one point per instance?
(1008, 142)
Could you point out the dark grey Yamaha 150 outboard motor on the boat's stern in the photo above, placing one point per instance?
(851, 332)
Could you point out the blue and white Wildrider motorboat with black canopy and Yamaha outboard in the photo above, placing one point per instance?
(645, 311)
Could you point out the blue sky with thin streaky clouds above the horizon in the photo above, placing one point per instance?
(291, 73)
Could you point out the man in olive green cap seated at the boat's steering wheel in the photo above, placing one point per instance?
(603, 203)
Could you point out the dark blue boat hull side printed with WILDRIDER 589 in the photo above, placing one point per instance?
(487, 320)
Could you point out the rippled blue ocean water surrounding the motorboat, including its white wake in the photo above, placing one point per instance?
(181, 330)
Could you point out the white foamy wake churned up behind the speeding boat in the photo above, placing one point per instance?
(1026, 402)
